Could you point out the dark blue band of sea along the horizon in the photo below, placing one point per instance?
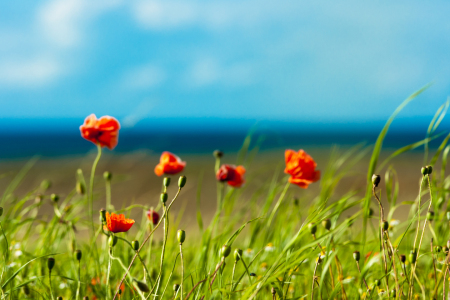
(24, 138)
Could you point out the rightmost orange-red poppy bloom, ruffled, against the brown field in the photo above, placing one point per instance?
(301, 167)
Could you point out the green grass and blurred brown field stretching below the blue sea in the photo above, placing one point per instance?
(344, 237)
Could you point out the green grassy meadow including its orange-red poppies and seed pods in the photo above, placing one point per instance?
(267, 246)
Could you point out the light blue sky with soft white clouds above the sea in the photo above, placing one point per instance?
(316, 61)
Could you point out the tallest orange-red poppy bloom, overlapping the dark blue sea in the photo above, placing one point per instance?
(103, 131)
